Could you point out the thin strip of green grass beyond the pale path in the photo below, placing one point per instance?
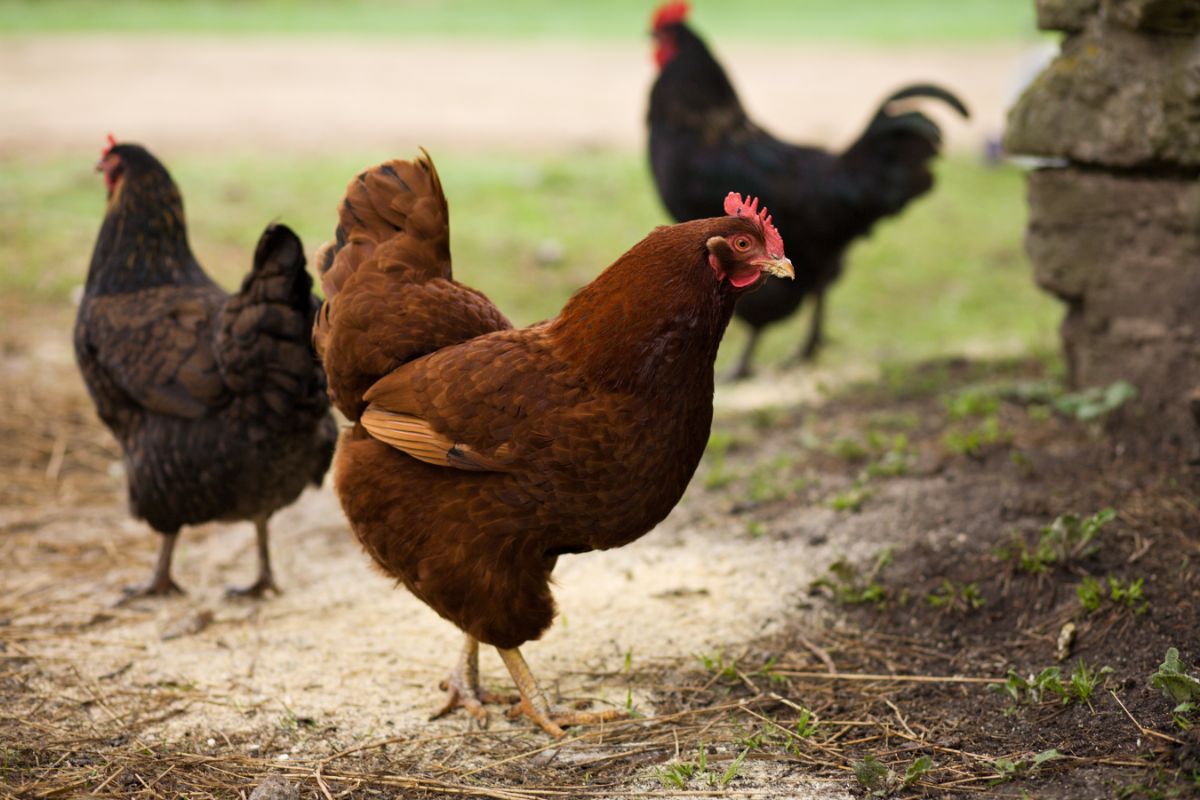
(869, 21)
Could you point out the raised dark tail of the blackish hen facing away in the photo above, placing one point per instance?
(262, 341)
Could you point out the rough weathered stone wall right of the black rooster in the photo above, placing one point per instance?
(1115, 226)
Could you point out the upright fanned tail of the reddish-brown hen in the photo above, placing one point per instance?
(389, 291)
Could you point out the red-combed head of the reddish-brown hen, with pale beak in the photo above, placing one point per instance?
(747, 245)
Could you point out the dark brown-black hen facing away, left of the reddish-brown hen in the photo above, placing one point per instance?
(217, 400)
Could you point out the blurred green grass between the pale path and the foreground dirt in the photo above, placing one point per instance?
(946, 276)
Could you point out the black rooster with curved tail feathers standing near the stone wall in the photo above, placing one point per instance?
(703, 145)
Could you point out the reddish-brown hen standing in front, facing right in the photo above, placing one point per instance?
(481, 454)
